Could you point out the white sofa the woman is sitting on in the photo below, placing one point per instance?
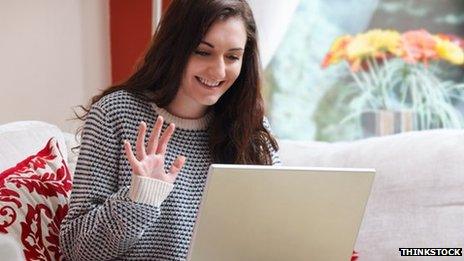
(417, 198)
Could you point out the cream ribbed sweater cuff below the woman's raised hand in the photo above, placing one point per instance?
(149, 190)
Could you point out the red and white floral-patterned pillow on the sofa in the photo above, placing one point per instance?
(34, 197)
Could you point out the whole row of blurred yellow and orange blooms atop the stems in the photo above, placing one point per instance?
(378, 44)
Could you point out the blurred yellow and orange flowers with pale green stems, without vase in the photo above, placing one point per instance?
(394, 71)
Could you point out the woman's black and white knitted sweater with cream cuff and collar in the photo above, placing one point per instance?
(116, 215)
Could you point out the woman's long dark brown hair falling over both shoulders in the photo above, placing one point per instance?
(237, 132)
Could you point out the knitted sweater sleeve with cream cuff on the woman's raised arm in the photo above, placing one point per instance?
(105, 219)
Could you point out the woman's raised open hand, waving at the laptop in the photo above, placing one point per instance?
(149, 162)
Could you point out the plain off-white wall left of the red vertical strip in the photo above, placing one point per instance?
(54, 55)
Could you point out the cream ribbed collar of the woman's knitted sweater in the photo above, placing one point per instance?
(187, 124)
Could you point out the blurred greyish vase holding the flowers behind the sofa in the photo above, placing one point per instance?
(386, 122)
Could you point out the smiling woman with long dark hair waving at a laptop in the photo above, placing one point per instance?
(200, 83)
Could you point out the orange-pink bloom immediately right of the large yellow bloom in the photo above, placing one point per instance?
(418, 46)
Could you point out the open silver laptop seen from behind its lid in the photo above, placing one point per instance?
(279, 213)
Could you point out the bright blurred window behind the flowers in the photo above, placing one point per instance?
(302, 97)
